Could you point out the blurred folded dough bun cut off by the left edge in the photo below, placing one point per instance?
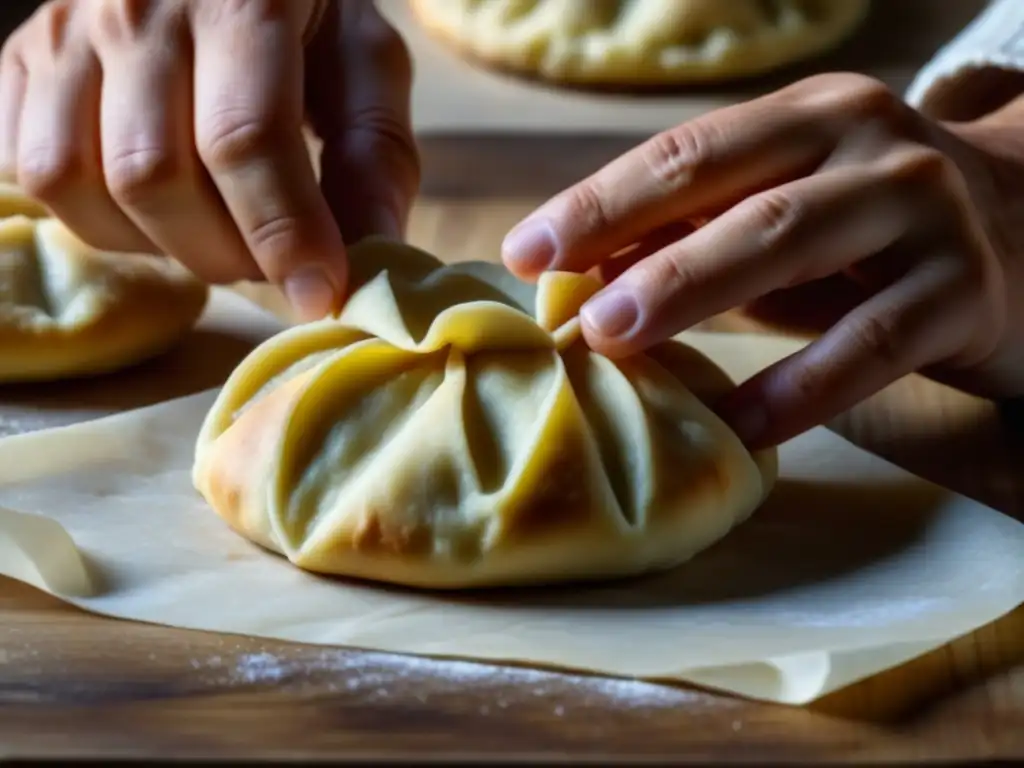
(69, 311)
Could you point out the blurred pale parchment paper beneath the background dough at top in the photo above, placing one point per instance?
(452, 97)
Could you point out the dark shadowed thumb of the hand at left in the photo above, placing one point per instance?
(360, 83)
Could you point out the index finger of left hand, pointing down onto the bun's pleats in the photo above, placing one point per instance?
(249, 117)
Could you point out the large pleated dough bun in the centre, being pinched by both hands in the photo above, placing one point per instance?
(451, 430)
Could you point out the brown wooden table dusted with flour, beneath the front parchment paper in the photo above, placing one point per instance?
(73, 685)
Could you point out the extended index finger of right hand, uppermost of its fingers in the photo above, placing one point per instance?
(695, 170)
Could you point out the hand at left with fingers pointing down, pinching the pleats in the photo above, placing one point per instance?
(177, 126)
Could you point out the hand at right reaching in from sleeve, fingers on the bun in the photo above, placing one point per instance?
(908, 237)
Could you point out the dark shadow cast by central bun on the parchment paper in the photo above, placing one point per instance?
(806, 535)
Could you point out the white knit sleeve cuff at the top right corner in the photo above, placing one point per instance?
(991, 49)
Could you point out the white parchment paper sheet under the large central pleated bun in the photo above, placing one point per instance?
(851, 568)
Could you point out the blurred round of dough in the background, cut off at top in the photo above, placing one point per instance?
(641, 42)
